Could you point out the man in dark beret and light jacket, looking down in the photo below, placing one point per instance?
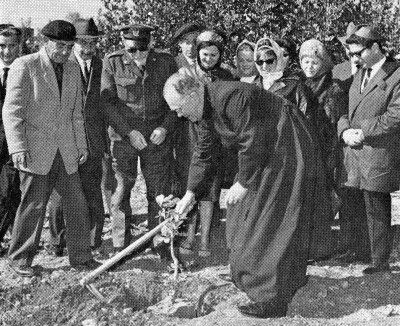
(46, 138)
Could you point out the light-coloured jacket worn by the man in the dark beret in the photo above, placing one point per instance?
(37, 119)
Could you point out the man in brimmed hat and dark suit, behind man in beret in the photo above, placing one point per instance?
(84, 54)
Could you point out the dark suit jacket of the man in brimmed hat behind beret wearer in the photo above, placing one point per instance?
(95, 122)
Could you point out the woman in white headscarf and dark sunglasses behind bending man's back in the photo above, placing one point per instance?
(275, 76)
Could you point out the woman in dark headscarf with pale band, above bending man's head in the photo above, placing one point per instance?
(209, 46)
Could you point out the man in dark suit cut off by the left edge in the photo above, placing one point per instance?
(10, 195)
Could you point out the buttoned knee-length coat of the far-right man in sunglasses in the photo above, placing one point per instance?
(374, 165)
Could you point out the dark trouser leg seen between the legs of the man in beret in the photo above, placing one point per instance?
(56, 220)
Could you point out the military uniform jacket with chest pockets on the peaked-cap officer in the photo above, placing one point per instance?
(124, 87)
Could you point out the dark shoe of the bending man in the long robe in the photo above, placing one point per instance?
(271, 309)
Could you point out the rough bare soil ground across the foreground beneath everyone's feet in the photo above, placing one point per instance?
(142, 292)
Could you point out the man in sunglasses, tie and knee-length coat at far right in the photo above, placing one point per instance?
(371, 134)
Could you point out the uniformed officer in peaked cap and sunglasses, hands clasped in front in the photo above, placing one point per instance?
(141, 124)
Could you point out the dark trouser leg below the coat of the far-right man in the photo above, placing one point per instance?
(378, 209)
